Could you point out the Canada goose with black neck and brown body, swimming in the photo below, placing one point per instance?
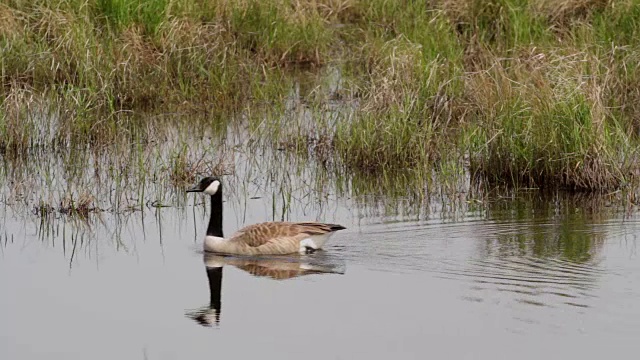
(267, 238)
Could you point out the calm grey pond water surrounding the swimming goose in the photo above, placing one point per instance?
(525, 278)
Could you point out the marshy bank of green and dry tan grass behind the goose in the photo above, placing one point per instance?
(514, 92)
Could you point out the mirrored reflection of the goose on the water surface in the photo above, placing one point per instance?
(273, 267)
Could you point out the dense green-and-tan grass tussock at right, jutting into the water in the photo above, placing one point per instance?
(545, 124)
